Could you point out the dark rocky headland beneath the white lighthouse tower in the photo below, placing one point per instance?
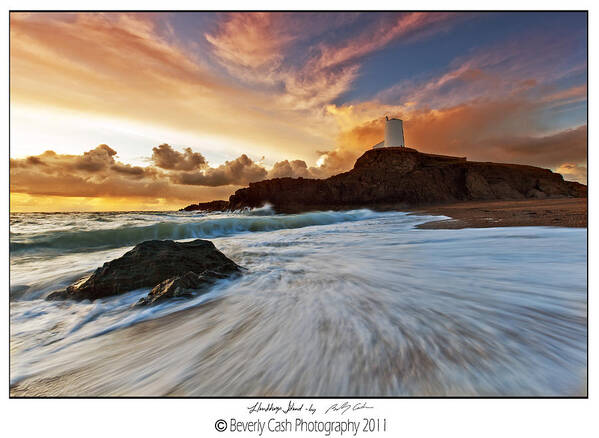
(406, 177)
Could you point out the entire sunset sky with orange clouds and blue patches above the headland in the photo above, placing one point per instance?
(154, 111)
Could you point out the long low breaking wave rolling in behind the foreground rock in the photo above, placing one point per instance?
(204, 227)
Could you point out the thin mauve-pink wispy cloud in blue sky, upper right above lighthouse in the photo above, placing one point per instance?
(522, 67)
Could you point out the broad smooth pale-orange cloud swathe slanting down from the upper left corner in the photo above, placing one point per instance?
(117, 65)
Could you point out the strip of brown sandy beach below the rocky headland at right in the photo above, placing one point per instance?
(564, 212)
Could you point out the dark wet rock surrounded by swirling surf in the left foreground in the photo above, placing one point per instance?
(149, 264)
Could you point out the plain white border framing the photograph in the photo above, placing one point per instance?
(410, 417)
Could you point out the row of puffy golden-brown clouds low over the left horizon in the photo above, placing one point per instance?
(173, 180)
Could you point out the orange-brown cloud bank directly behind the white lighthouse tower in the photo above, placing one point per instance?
(482, 131)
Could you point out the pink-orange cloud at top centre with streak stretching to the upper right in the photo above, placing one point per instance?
(263, 48)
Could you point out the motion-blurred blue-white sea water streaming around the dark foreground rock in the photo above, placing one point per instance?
(331, 303)
